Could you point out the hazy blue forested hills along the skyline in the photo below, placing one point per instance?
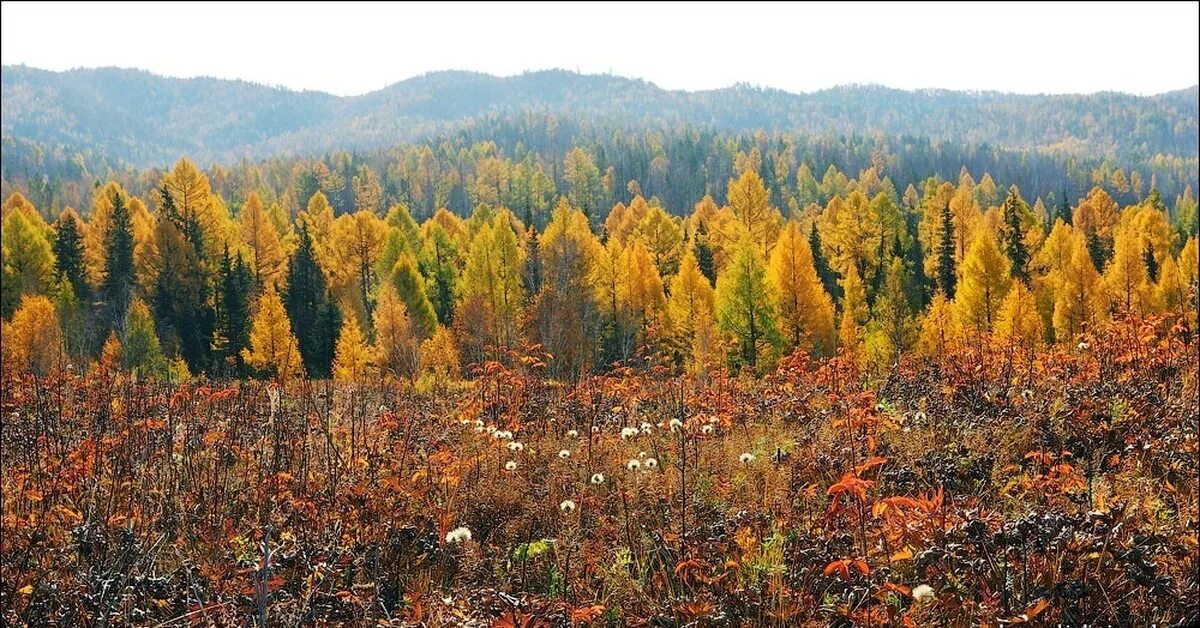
(143, 119)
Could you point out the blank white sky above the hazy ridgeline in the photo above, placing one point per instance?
(353, 49)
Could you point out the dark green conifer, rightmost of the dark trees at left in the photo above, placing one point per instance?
(313, 314)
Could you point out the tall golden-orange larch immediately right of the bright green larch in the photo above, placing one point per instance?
(806, 310)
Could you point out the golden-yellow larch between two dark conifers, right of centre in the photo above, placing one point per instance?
(986, 282)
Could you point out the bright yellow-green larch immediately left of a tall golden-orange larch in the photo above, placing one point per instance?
(746, 306)
